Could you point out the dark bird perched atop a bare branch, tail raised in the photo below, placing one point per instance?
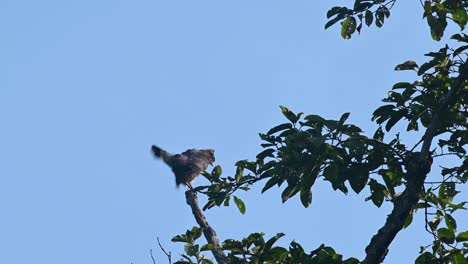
(187, 165)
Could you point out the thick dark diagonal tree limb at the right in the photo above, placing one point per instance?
(417, 168)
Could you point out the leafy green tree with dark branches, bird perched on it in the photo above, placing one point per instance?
(308, 147)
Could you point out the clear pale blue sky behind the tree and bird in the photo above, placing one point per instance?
(88, 86)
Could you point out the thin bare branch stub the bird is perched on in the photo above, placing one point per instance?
(208, 231)
